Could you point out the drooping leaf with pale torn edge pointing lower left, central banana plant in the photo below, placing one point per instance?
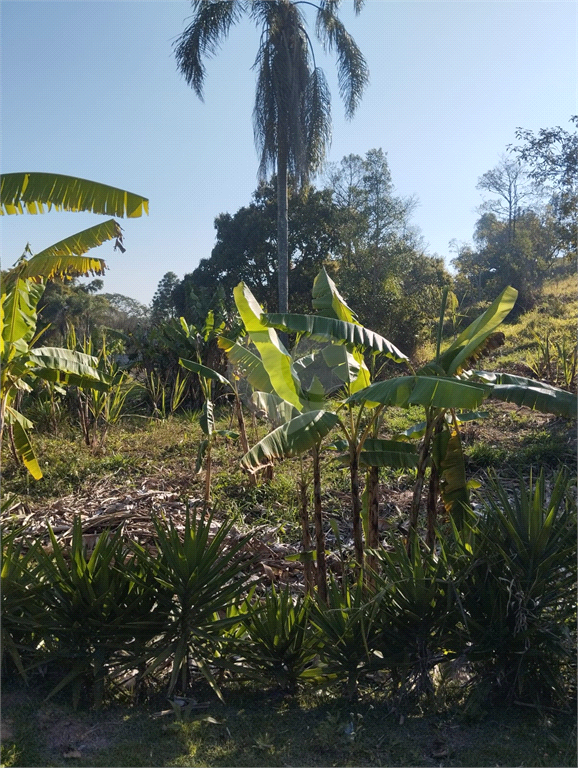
(291, 439)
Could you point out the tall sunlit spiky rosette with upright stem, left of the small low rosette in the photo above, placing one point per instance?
(200, 572)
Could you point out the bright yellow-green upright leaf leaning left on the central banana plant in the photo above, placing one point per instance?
(276, 360)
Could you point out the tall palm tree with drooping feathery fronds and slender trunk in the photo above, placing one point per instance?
(292, 114)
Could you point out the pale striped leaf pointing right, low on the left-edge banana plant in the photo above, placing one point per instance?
(66, 366)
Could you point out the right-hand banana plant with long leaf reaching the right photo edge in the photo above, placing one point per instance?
(450, 393)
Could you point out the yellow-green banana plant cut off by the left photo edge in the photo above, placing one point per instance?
(24, 284)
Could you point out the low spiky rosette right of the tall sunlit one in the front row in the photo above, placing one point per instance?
(278, 645)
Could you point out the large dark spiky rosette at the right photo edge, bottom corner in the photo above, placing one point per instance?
(517, 582)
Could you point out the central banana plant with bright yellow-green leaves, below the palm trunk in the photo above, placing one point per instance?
(344, 355)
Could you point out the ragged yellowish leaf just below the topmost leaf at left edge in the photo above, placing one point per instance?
(65, 257)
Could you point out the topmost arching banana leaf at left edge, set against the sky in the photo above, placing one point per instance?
(30, 192)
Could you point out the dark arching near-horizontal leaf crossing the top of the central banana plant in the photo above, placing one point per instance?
(339, 331)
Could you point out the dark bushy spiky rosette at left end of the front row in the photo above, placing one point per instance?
(101, 606)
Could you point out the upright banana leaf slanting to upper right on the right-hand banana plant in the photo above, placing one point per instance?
(471, 341)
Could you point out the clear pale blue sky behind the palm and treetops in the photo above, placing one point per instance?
(91, 89)
